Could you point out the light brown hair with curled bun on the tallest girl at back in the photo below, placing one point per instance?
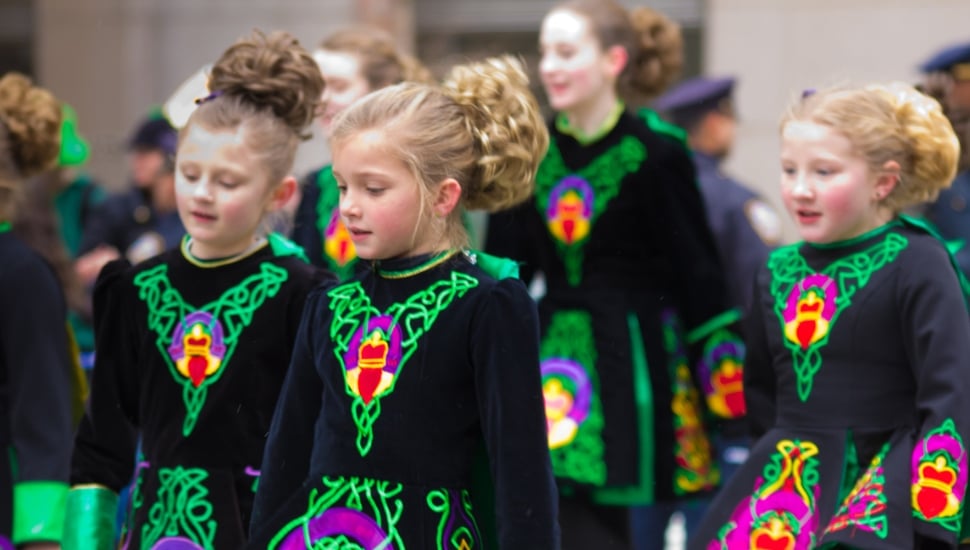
(653, 42)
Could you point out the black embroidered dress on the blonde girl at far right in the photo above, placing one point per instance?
(857, 374)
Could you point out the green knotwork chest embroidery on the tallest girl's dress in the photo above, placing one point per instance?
(571, 202)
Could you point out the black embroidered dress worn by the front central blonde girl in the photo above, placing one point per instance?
(400, 378)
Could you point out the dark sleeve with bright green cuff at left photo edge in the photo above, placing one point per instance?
(34, 349)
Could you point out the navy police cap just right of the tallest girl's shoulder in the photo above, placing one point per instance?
(687, 102)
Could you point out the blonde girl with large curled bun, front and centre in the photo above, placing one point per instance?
(402, 373)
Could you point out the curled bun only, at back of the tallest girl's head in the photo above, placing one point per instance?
(660, 56)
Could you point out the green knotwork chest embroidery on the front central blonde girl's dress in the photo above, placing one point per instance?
(373, 347)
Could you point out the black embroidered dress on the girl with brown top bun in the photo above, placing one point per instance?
(191, 359)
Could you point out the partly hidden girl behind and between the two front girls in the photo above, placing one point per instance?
(354, 62)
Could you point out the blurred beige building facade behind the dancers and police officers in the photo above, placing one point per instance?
(114, 59)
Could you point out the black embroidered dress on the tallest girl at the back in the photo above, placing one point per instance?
(636, 324)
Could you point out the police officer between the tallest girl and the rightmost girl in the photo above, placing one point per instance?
(745, 227)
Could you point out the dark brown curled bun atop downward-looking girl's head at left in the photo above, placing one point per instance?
(271, 71)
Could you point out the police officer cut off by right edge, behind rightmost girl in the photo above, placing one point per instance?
(949, 71)
